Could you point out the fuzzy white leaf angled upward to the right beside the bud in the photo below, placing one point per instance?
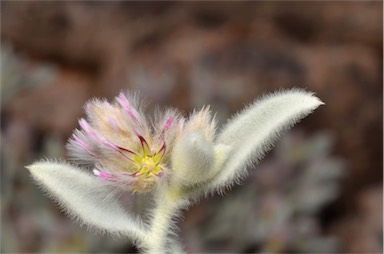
(253, 132)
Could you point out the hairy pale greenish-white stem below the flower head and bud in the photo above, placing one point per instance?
(168, 204)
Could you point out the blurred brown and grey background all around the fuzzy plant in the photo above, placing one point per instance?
(319, 190)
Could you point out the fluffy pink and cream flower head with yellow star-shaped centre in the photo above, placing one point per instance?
(120, 144)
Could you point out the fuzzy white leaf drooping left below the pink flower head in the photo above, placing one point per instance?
(86, 198)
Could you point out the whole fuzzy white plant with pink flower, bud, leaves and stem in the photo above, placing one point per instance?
(176, 160)
